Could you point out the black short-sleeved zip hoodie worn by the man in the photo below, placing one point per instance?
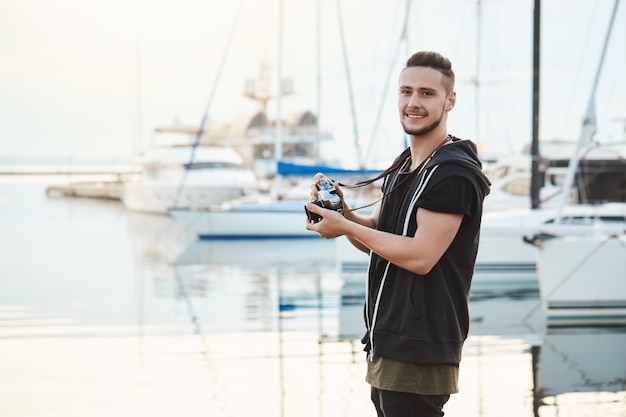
(424, 318)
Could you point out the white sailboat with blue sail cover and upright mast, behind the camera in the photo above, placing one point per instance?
(279, 213)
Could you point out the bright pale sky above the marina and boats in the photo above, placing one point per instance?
(87, 79)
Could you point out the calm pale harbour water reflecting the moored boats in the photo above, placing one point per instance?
(105, 312)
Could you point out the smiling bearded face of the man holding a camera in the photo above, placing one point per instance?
(423, 101)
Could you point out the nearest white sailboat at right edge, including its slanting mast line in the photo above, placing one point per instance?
(581, 260)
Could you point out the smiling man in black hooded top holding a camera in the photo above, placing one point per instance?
(422, 238)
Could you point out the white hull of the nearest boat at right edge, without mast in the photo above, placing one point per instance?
(581, 268)
